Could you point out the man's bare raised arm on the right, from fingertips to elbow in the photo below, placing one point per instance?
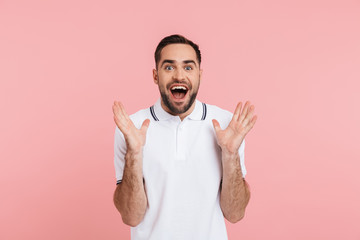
(235, 193)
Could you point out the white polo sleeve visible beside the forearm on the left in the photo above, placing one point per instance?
(119, 154)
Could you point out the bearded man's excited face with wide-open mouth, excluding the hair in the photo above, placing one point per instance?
(178, 76)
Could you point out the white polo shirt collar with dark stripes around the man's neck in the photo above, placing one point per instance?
(159, 114)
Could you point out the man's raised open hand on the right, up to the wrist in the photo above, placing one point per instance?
(242, 122)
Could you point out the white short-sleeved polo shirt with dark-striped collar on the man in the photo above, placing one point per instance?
(182, 170)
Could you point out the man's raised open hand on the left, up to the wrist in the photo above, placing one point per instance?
(135, 138)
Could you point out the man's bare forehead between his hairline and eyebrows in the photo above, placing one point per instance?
(178, 52)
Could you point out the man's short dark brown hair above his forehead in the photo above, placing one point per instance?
(176, 38)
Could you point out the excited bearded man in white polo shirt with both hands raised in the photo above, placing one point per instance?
(180, 163)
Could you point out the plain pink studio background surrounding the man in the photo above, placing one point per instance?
(63, 63)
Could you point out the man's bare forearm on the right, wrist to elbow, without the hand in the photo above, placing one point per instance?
(235, 193)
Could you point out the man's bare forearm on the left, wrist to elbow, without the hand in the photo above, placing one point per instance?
(129, 197)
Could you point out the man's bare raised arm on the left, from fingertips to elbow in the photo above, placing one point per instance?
(129, 196)
